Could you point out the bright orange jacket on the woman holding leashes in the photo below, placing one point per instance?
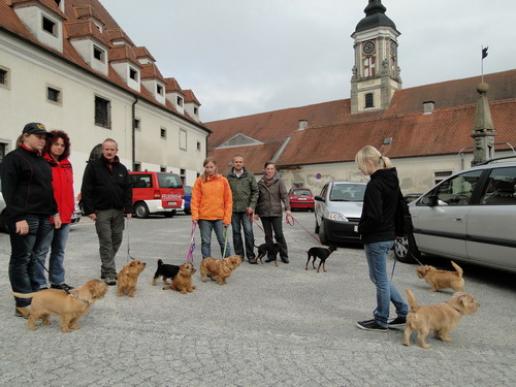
(211, 199)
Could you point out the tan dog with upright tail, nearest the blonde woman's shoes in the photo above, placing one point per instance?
(438, 318)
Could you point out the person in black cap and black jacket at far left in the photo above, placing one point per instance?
(27, 190)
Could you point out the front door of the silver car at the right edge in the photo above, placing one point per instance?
(440, 216)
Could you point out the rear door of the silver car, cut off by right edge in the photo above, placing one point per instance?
(491, 225)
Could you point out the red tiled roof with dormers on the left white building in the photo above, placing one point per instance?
(79, 24)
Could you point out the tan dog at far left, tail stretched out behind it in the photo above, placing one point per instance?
(70, 307)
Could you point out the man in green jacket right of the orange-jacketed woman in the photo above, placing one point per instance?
(245, 194)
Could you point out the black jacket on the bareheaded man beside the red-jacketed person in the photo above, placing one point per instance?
(104, 188)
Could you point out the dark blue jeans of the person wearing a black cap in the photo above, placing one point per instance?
(23, 254)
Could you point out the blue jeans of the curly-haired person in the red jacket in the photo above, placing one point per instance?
(55, 266)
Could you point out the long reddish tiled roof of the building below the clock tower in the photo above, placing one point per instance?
(334, 135)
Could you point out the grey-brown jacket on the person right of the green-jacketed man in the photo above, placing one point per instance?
(271, 197)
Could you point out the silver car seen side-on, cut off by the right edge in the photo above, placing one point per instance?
(470, 216)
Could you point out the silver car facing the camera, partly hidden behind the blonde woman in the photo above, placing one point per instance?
(337, 211)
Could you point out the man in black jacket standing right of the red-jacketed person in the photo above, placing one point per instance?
(107, 195)
